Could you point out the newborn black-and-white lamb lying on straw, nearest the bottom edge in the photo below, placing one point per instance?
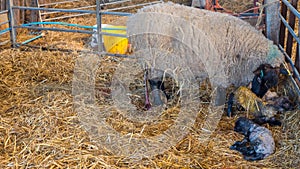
(260, 140)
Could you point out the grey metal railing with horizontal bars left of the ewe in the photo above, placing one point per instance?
(11, 8)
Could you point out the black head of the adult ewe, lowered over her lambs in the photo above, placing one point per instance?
(265, 78)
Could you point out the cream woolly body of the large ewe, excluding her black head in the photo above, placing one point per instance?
(200, 44)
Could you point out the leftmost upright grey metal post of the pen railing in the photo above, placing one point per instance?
(11, 19)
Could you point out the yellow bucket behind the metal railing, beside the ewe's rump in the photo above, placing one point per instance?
(112, 44)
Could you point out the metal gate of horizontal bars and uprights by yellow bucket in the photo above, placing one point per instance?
(42, 10)
